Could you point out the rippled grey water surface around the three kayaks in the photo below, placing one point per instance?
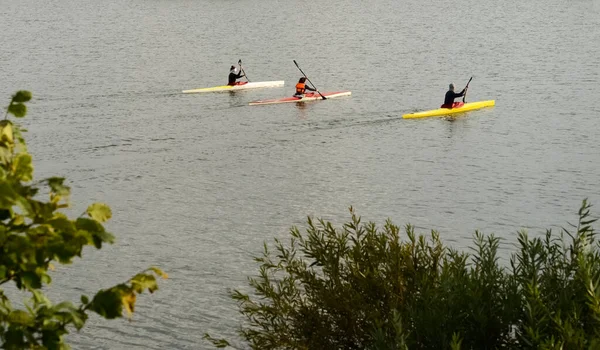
(198, 182)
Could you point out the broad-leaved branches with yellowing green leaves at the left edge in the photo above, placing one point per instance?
(33, 235)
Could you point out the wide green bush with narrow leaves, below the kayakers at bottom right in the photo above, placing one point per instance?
(364, 287)
